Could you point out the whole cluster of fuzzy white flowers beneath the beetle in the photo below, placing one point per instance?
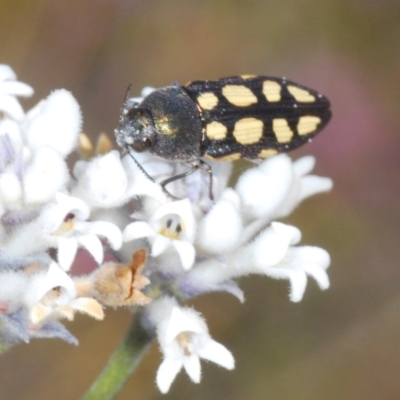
(161, 252)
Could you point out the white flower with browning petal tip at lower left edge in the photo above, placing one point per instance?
(33, 299)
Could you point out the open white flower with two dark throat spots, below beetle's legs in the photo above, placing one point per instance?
(173, 224)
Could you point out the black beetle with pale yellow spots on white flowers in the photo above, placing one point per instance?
(246, 116)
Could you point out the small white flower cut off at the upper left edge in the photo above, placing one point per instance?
(9, 89)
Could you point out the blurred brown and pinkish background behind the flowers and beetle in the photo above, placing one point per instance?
(339, 344)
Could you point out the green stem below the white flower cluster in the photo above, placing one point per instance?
(122, 363)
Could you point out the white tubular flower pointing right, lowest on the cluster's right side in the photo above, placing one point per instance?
(271, 253)
